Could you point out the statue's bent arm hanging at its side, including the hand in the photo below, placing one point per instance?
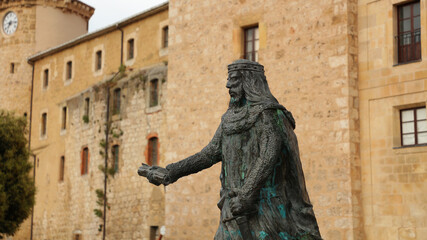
(270, 147)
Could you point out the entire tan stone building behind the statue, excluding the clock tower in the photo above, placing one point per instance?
(335, 64)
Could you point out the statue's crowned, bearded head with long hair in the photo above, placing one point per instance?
(246, 82)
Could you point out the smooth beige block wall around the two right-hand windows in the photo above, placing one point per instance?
(394, 178)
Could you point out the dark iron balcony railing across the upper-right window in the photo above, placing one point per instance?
(409, 46)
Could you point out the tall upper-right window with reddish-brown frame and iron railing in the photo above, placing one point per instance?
(409, 32)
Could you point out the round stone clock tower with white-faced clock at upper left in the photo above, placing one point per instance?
(28, 27)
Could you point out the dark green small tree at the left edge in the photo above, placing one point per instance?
(17, 189)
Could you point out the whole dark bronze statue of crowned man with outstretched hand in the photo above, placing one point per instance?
(263, 192)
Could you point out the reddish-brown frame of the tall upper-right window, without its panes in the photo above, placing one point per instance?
(415, 48)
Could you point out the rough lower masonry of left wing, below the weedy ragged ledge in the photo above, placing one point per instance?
(134, 204)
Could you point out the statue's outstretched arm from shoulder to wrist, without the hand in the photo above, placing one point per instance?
(209, 155)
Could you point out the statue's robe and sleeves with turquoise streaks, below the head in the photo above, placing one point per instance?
(259, 154)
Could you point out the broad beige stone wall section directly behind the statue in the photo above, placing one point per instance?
(309, 50)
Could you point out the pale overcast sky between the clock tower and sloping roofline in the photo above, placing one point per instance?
(108, 12)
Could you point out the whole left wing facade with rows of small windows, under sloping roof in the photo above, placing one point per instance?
(68, 127)
